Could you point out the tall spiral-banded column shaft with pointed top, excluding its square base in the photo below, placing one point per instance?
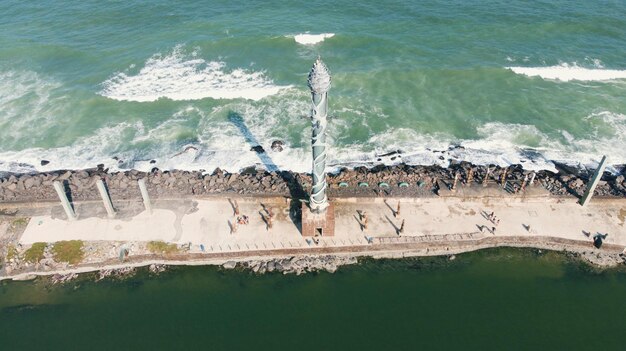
(319, 83)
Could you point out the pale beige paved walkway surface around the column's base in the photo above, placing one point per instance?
(208, 222)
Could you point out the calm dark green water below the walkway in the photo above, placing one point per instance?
(496, 300)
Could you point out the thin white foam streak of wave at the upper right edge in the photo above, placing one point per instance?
(566, 72)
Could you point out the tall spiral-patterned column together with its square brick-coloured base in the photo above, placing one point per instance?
(318, 218)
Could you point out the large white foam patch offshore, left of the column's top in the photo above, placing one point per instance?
(179, 77)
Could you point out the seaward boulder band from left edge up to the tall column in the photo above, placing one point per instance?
(81, 185)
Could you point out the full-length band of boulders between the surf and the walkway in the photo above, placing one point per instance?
(420, 180)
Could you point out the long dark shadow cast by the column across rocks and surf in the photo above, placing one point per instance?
(296, 192)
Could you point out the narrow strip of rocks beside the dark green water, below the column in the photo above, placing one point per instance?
(295, 265)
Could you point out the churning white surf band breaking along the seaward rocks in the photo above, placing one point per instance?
(226, 144)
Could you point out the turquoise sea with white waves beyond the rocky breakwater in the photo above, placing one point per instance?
(511, 81)
